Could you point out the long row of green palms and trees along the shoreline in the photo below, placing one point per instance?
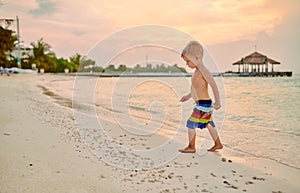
(41, 55)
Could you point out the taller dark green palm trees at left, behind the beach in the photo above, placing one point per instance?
(39, 53)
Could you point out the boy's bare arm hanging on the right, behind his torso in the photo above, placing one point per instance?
(210, 80)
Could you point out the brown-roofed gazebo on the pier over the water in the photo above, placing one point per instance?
(255, 63)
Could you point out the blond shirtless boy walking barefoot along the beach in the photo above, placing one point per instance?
(201, 116)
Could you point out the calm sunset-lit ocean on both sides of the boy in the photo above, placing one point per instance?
(260, 116)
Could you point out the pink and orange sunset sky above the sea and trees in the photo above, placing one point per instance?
(228, 29)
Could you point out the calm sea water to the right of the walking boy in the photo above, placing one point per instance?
(263, 117)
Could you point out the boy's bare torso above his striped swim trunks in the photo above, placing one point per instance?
(199, 88)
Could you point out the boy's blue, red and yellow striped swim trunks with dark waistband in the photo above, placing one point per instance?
(202, 115)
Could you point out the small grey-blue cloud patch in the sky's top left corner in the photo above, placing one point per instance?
(45, 7)
